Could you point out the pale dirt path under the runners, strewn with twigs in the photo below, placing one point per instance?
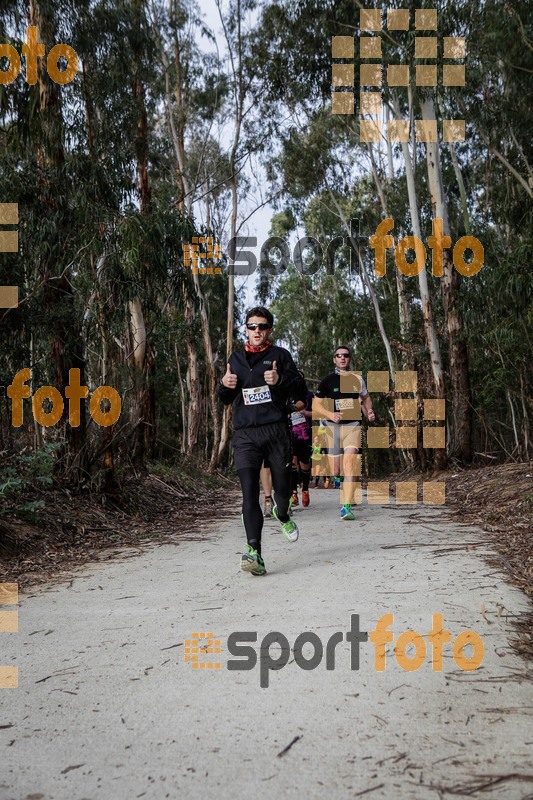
(108, 708)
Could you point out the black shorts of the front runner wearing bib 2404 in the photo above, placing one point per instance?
(269, 443)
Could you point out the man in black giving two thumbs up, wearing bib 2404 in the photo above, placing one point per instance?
(259, 381)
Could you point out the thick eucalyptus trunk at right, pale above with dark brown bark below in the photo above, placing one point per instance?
(460, 431)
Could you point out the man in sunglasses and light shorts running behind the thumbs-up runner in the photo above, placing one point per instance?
(338, 401)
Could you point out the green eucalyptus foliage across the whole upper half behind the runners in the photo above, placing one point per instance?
(88, 245)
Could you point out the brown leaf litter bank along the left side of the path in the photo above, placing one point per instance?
(72, 530)
